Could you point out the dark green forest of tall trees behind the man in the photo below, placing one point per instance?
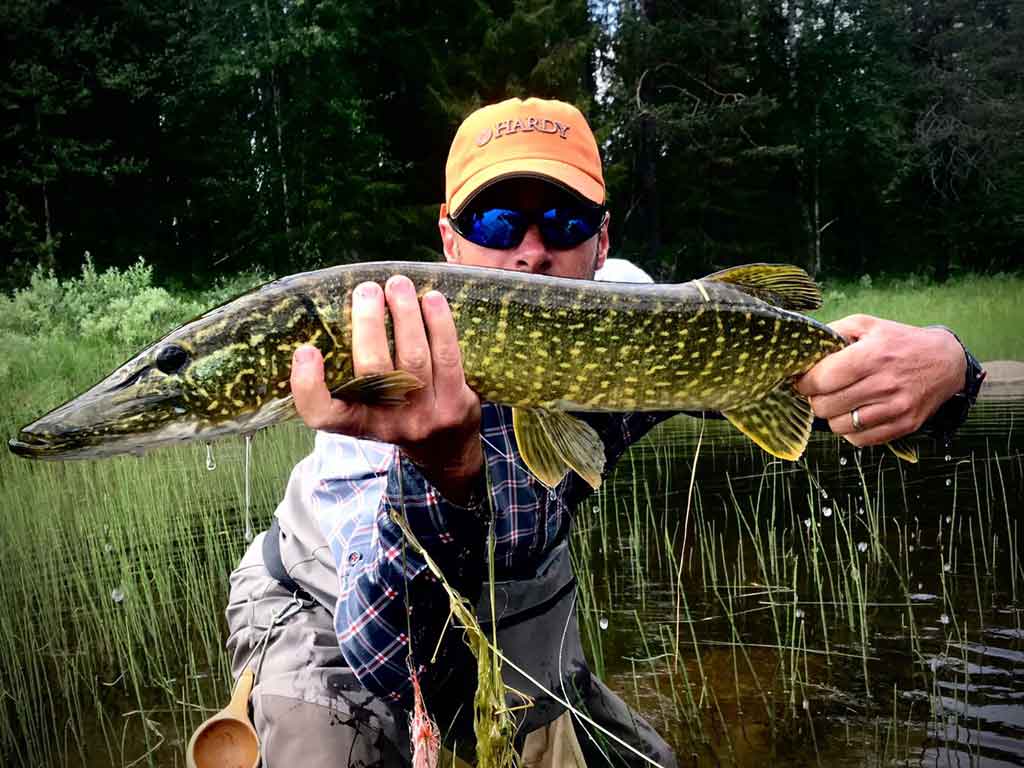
(849, 137)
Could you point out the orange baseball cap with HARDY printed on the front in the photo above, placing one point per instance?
(537, 139)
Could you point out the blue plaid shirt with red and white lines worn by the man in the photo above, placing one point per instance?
(360, 483)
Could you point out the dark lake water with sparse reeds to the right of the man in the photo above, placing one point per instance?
(849, 611)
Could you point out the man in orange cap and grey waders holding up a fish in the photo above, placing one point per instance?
(526, 192)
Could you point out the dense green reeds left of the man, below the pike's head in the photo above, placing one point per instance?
(115, 592)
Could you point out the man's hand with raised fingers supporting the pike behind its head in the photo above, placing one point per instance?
(440, 428)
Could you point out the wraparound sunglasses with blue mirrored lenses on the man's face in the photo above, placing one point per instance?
(562, 228)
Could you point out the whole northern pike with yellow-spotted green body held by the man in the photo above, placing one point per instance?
(547, 347)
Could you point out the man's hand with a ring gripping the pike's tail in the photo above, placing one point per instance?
(897, 375)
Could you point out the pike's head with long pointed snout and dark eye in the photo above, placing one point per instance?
(226, 373)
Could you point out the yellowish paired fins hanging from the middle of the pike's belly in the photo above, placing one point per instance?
(552, 443)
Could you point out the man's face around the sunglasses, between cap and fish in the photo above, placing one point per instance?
(532, 255)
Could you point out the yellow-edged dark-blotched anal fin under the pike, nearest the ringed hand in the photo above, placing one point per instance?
(780, 422)
